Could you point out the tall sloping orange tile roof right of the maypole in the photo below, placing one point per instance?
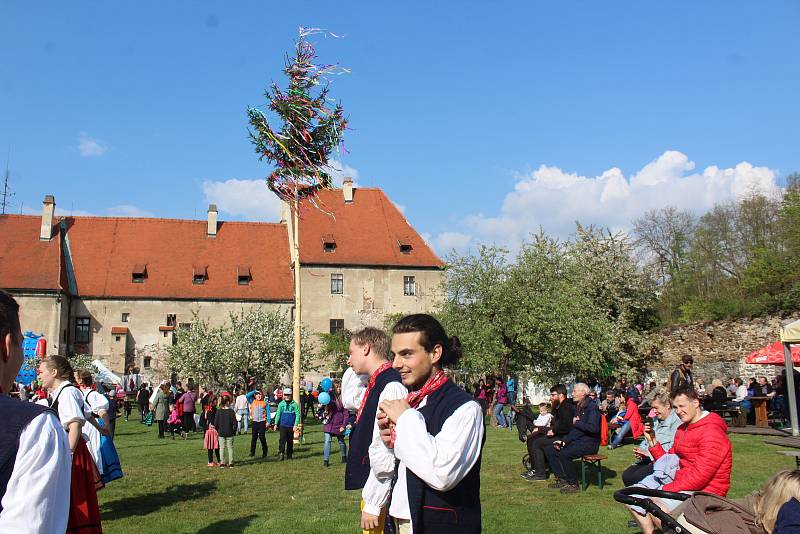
(368, 231)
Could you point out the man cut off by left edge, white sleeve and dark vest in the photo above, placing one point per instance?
(35, 463)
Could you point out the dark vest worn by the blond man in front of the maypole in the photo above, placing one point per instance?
(357, 470)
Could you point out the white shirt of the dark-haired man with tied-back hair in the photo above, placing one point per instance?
(441, 461)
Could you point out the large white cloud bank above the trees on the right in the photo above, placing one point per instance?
(552, 199)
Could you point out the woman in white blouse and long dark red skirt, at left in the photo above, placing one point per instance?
(67, 401)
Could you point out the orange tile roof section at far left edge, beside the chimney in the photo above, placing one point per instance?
(26, 262)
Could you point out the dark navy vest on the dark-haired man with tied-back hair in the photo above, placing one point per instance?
(459, 509)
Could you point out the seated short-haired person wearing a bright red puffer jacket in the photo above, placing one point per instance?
(703, 449)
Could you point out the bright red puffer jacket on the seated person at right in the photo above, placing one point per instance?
(705, 456)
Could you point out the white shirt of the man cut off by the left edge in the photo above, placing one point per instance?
(37, 497)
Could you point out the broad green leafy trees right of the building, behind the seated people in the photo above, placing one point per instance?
(558, 310)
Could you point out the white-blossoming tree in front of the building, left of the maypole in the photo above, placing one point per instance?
(256, 342)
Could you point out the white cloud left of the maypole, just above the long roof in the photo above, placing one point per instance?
(249, 199)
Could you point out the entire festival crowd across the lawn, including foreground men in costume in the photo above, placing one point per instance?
(411, 438)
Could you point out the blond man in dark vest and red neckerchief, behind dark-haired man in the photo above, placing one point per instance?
(368, 353)
